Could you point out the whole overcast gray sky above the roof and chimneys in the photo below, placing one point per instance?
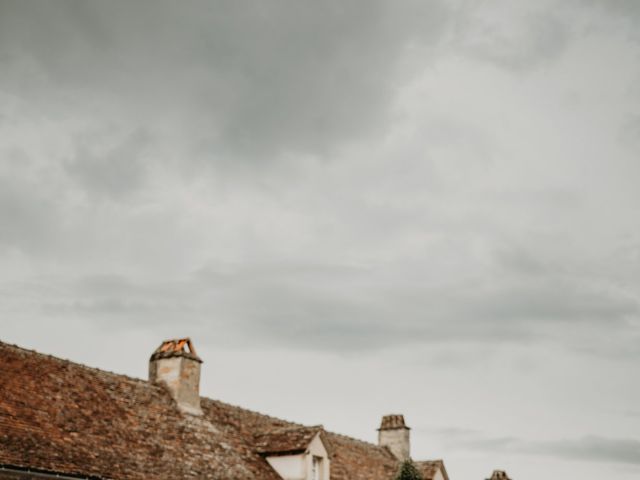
(352, 207)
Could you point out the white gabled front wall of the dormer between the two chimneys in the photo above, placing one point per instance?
(300, 466)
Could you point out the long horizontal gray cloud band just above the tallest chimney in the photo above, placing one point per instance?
(341, 308)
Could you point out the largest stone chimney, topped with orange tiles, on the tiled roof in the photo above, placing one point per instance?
(176, 364)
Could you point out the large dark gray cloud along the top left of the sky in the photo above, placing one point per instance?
(257, 82)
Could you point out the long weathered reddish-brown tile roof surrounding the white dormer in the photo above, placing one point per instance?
(56, 415)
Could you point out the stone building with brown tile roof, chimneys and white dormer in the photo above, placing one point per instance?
(59, 419)
